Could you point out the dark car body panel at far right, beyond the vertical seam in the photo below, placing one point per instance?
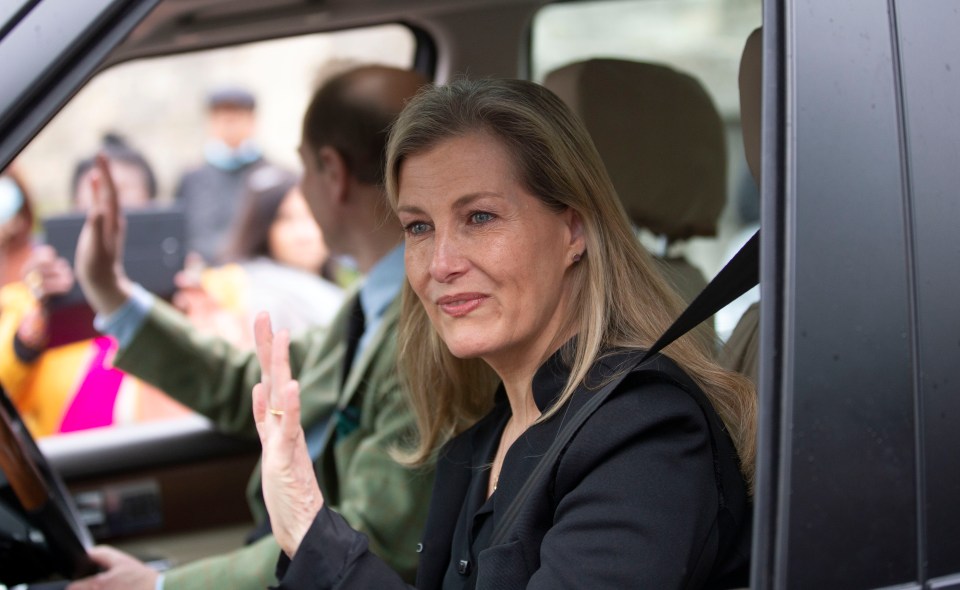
(931, 89)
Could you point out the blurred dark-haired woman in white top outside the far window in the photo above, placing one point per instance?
(278, 263)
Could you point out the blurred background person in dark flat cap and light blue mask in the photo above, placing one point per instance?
(211, 192)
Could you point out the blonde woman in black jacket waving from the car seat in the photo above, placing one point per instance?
(522, 269)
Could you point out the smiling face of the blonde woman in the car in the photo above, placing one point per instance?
(487, 259)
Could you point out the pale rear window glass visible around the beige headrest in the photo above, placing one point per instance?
(703, 38)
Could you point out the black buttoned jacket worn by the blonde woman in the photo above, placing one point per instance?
(648, 494)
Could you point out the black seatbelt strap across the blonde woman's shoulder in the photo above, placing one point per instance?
(739, 275)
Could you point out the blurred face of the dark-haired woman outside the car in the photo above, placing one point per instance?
(295, 238)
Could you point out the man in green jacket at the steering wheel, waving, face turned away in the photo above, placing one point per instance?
(354, 411)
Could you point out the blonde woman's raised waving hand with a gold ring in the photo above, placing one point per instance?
(290, 487)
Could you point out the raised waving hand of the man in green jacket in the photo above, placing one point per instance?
(99, 260)
